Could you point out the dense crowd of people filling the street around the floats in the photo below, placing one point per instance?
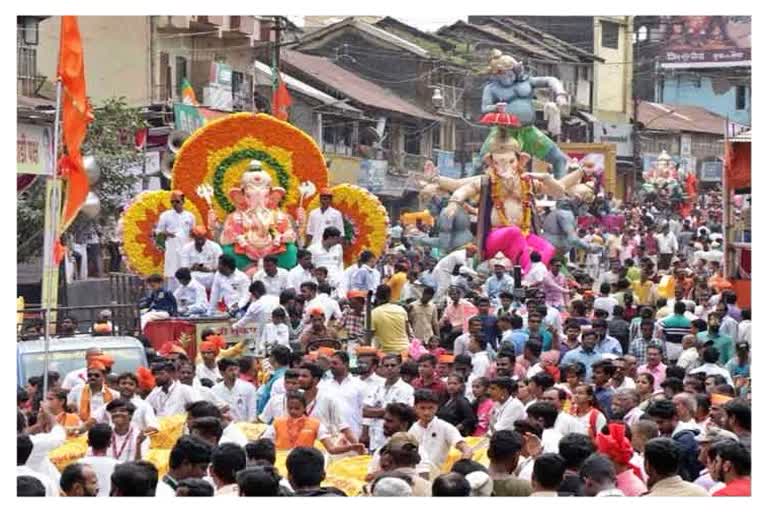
(618, 372)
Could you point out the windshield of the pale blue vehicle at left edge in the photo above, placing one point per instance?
(126, 360)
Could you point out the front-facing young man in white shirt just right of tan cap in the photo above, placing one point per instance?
(436, 437)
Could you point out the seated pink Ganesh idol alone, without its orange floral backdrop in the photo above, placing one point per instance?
(257, 227)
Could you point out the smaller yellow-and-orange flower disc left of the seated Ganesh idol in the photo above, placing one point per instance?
(141, 252)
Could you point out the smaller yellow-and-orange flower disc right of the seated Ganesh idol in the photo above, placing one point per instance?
(365, 220)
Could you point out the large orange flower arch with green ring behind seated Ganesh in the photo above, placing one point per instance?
(218, 153)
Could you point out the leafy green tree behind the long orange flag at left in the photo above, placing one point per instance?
(110, 139)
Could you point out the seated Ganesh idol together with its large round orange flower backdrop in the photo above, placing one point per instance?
(251, 175)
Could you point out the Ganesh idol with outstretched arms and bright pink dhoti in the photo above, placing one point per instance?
(505, 194)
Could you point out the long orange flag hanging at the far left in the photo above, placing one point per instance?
(75, 116)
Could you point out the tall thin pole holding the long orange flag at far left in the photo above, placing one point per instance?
(53, 211)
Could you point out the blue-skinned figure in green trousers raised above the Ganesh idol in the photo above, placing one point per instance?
(511, 90)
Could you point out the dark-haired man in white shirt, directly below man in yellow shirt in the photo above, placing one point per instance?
(393, 390)
